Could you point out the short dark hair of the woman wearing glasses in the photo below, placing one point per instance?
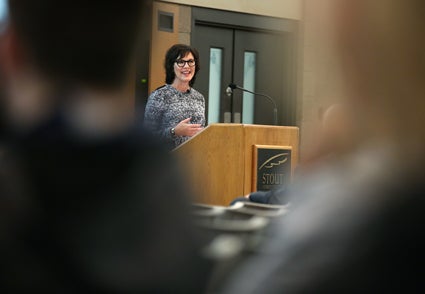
(175, 52)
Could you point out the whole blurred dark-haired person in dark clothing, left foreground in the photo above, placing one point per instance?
(86, 203)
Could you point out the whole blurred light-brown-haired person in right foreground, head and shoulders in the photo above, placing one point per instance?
(358, 223)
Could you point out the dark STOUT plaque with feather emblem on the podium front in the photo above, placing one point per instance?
(271, 167)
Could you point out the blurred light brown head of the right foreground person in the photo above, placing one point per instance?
(382, 50)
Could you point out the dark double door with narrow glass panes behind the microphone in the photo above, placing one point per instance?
(261, 61)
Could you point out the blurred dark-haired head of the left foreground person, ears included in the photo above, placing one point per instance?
(69, 52)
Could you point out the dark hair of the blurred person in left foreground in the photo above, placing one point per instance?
(79, 41)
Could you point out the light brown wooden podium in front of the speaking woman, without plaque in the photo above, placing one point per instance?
(219, 161)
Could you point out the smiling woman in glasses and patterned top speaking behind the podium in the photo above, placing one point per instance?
(176, 111)
